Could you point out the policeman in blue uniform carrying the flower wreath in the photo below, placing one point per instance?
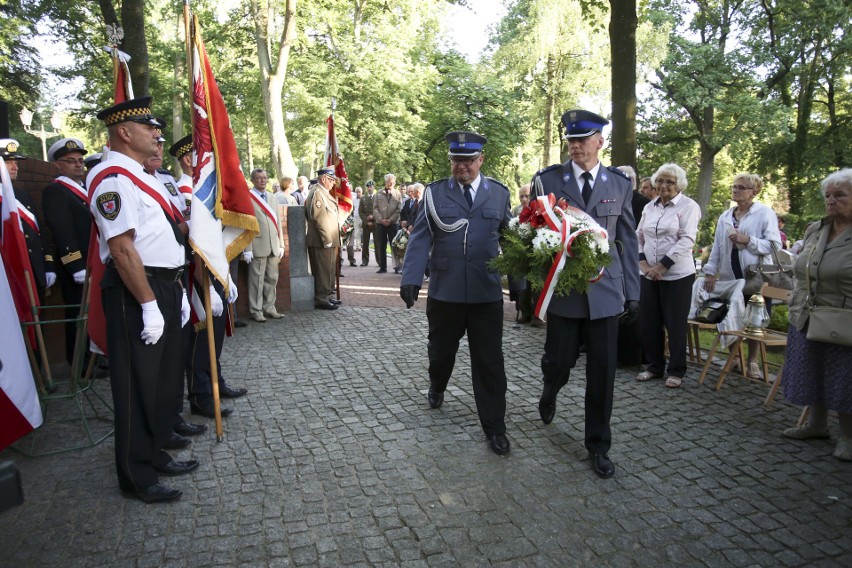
(593, 317)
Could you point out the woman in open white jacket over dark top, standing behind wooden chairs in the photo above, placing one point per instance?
(745, 234)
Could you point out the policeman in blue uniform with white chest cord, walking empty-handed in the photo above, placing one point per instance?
(456, 233)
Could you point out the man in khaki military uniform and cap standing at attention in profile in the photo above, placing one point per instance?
(323, 238)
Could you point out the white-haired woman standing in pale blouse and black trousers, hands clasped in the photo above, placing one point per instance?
(666, 237)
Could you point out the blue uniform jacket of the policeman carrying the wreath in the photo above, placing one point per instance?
(611, 206)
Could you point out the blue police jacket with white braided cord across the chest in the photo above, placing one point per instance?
(458, 260)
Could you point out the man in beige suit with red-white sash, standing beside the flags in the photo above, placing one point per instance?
(264, 252)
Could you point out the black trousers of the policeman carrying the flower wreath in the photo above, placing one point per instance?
(561, 351)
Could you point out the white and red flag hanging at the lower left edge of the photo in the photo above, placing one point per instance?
(20, 412)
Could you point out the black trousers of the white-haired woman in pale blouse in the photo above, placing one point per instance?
(664, 308)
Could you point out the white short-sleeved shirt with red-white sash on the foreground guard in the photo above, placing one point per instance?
(118, 205)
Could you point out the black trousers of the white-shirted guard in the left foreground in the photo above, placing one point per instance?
(144, 378)
